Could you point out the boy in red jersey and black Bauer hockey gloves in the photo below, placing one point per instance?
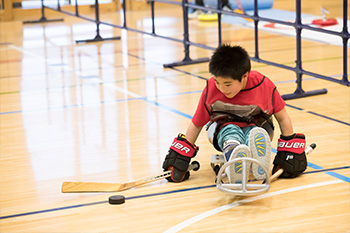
(238, 104)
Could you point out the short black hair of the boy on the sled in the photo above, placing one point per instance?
(230, 62)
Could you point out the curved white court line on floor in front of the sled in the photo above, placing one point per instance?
(197, 218)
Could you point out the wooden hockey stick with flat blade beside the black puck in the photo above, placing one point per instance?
(85, 187)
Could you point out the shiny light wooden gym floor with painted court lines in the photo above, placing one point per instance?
(108, 111)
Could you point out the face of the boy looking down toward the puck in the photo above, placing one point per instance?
(230, 87)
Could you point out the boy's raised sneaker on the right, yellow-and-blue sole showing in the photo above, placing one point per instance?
(260, 148)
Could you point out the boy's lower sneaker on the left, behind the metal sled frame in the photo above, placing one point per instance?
(235, 171)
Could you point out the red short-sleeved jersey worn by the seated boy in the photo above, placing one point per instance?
(259, 95)
